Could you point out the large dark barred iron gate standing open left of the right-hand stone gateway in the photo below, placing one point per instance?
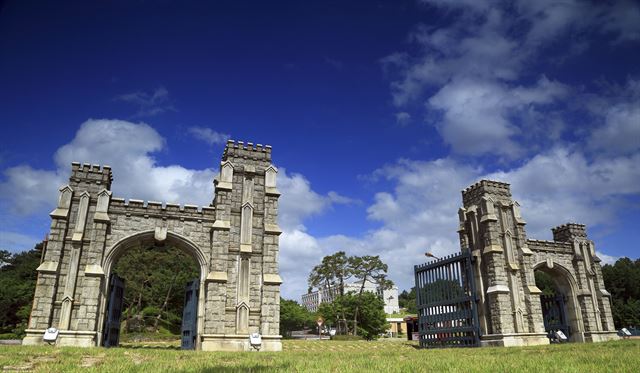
(447, 304)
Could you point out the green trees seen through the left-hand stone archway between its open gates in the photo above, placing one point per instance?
(155, 278)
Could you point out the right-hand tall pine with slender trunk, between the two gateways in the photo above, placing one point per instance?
(368, 268)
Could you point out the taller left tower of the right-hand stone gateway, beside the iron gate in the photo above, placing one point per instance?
(496, 230)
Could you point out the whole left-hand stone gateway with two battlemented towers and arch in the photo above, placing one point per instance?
(234, 241)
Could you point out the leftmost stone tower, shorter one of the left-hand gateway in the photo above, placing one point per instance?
(68, 286)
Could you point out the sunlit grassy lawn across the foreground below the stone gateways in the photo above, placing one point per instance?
(330, 356)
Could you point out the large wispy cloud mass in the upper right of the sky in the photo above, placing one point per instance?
(474, 73)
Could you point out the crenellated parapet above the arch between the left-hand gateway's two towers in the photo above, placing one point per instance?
(154, 208)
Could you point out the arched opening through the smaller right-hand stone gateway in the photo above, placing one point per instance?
(558, 302)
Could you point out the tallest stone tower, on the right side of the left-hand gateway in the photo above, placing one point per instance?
(243, 294)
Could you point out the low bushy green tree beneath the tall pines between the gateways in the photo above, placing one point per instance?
(371, 320)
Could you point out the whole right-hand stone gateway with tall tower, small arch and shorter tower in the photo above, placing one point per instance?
(510, 313)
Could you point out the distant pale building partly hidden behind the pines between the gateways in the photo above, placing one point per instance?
(311, 301)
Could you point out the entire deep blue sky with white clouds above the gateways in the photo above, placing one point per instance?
(379, 113)
